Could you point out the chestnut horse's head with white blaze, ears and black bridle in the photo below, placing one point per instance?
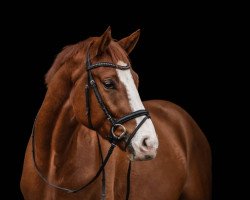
(105, 89)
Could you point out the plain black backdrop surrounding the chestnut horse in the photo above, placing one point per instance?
(187, 54)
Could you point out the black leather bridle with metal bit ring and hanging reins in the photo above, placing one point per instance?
(115, 123)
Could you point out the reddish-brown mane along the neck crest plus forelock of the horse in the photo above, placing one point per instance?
(114, 50)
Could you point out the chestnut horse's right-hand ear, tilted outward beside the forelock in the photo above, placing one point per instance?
(128, 43)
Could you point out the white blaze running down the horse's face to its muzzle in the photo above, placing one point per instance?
(147, 130)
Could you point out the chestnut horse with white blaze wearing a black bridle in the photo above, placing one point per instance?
(91, 106)
